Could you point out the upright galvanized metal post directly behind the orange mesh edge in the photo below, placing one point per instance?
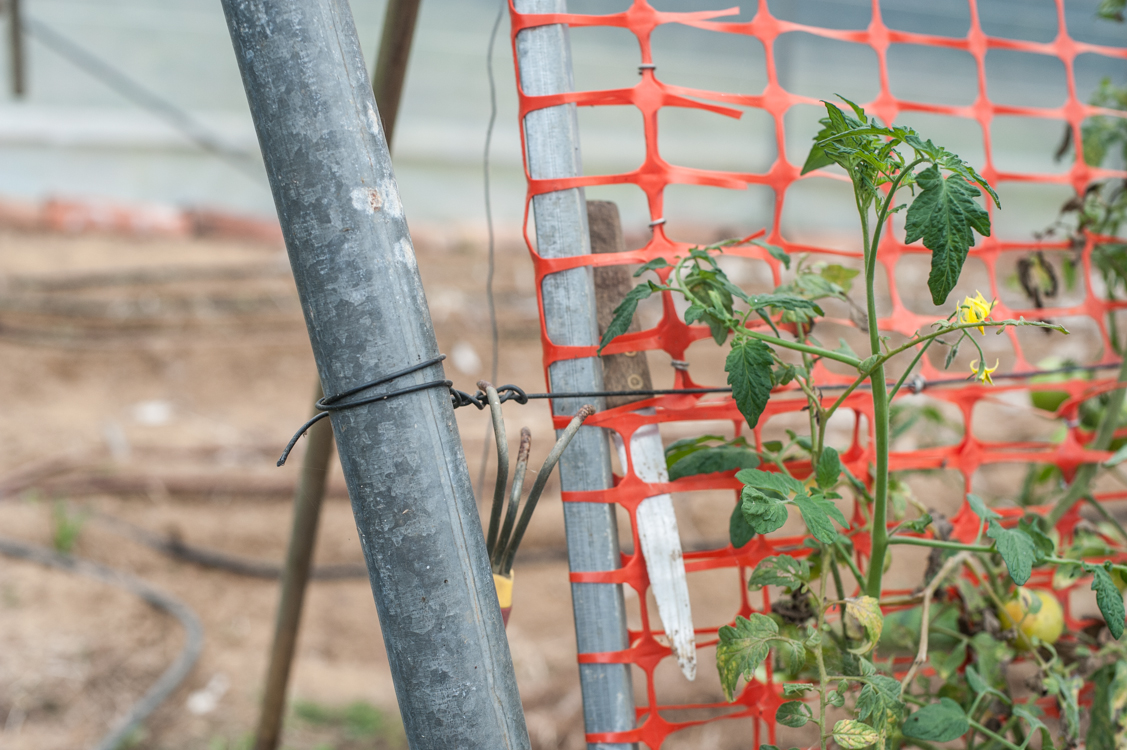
(553, 143)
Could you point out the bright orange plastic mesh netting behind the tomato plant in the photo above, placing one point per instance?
(759, 701)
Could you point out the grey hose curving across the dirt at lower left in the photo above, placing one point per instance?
(176, 673)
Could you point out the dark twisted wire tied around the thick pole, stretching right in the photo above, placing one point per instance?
(330, 404)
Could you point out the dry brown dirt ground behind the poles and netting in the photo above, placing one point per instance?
(154, 383)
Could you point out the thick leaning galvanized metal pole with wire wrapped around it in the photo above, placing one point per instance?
(360, 289)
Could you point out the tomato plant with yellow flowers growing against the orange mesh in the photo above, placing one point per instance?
(844, 676)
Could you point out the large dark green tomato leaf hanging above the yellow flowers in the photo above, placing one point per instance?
(944, 216)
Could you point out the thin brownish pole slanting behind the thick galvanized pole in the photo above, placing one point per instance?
(387, 89)
